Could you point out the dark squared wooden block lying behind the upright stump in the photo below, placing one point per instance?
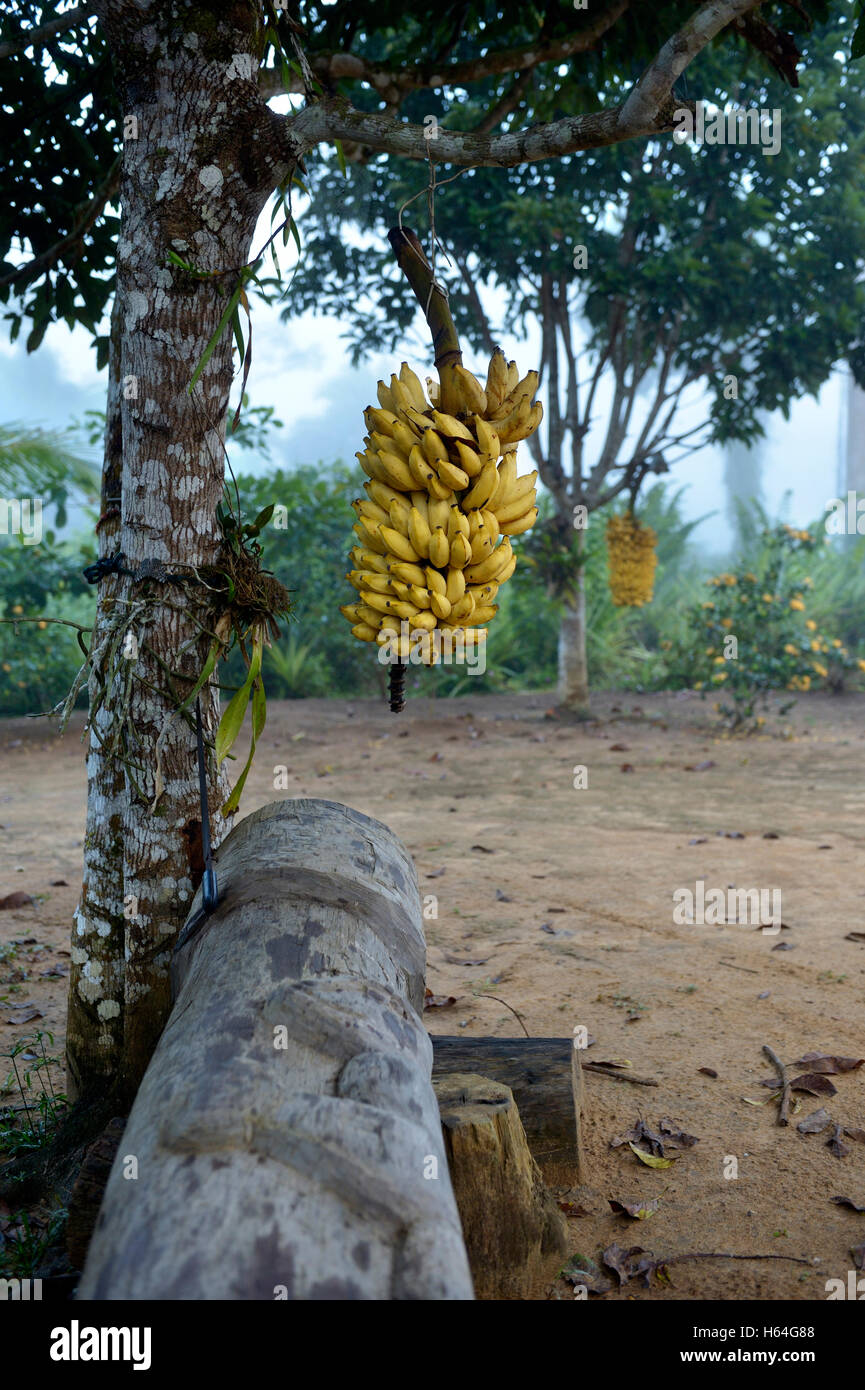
(547, 1084)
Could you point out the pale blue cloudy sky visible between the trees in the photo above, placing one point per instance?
(302, 370)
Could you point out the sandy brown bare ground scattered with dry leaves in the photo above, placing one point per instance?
(568, 911)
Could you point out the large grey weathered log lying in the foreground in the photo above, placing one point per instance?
(286, 1142)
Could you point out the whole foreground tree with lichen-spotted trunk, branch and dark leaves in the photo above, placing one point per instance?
(161, 109)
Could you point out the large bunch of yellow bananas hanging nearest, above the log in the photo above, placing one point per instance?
(443, 501)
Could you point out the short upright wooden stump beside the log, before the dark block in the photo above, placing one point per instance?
(510, 1218)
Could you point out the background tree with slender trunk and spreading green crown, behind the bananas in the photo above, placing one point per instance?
(650, 273)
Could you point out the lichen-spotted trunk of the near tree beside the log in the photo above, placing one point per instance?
(198, 169)
